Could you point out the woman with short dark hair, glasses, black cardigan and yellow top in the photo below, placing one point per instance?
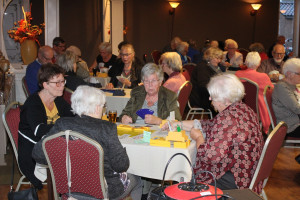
(39, 113)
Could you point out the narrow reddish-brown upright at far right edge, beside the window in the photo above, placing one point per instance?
(296, 28)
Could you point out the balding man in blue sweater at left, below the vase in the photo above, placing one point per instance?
(45, 55)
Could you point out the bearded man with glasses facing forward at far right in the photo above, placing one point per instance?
(274, 63)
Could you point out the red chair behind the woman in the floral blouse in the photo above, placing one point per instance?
(268, 157)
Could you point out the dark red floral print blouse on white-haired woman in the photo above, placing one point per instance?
(233, 143)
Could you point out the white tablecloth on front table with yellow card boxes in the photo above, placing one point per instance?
(150, 161)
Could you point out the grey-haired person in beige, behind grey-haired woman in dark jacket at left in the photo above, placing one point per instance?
(82, 69)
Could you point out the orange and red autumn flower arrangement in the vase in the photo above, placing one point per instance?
(25, 30)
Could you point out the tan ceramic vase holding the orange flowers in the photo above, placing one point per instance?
(28, 51)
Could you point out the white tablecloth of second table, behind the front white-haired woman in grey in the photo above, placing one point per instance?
(117, 103)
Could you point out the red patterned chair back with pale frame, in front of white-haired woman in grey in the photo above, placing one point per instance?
(86, 161)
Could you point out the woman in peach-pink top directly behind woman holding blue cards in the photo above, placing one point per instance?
(171, 65)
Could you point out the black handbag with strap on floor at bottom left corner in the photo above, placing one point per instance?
(28, 194)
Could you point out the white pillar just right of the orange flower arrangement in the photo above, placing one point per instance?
(51, 20)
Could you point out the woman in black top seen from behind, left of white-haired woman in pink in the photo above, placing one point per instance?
(201, 75)
